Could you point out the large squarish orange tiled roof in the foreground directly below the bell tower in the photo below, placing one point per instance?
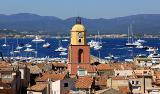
(84, 82)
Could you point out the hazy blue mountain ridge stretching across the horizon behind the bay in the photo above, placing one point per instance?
(142, 24)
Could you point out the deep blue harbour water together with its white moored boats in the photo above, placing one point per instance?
(109, 46)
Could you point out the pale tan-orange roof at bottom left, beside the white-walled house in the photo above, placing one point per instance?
(37, 87)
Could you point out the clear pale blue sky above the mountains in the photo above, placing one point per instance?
(85, 8)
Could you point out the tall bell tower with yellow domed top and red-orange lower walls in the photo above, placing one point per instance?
(78, 51)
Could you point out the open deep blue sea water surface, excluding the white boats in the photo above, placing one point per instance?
(110, 46)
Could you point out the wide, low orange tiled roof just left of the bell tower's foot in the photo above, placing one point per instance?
(53, 77)
